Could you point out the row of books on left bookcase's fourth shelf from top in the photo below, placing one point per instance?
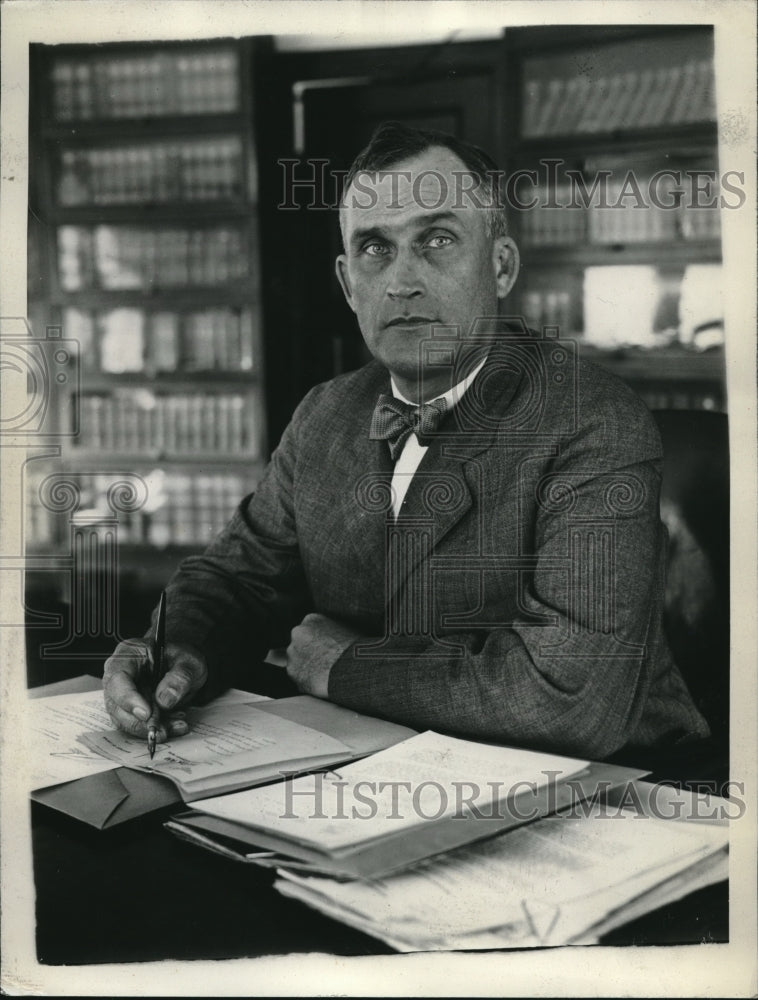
(118, 341)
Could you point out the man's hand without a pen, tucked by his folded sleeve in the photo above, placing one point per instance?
(315, 646)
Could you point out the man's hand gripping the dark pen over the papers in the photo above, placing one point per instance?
(128, 700)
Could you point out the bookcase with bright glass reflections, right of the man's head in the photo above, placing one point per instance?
(634, 277)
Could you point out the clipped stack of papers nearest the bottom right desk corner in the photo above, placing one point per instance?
(565, 879)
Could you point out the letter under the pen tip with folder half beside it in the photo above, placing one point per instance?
(236, 745)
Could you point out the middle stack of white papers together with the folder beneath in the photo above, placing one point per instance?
(422, 797)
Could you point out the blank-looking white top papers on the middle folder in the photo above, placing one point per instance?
(422, 779)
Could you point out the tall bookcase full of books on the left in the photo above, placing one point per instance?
(144, 249)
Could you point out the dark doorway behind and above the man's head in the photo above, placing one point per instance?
(336, 102)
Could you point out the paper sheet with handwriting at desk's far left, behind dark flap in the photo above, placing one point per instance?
(56, 725)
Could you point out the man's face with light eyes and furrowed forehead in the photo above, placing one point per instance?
(418, 255)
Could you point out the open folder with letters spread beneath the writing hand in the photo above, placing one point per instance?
(236, 742)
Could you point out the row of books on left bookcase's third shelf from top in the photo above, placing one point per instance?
(122, 257)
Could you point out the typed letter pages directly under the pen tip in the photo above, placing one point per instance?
(230, 745)
